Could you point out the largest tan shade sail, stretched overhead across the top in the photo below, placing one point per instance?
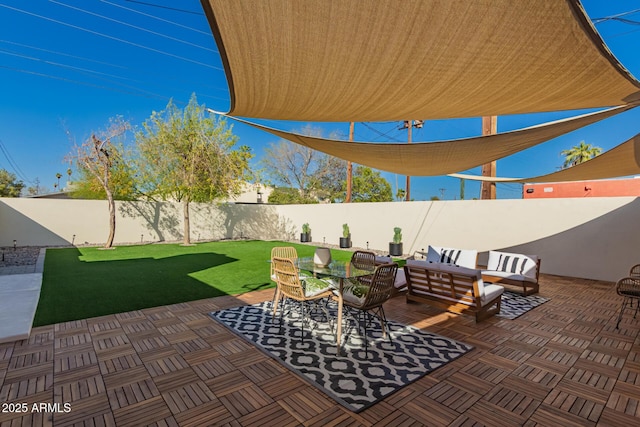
(354, 60)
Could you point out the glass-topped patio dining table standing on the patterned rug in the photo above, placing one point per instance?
(338, 270)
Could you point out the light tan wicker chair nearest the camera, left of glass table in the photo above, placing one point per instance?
(301, 290)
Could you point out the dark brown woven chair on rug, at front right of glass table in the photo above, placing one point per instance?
(367, 299)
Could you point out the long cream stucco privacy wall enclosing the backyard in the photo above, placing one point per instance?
(594, 238)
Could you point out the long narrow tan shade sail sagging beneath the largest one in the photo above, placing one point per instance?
(443, 157)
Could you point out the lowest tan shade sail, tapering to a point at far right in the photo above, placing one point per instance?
(623, 160)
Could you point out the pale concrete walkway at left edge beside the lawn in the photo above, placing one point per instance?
(19, 295)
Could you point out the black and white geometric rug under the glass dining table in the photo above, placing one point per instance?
(353, 379)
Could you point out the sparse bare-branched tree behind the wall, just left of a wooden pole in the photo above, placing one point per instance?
(314, 174)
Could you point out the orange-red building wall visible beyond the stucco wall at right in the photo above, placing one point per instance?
(601, 188)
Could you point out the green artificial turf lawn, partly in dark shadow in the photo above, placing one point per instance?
(80, 283)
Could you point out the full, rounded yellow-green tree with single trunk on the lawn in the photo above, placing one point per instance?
(189, 156)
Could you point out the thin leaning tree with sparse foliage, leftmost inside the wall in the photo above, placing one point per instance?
(99, 158)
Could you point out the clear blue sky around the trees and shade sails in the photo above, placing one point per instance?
(73, 64)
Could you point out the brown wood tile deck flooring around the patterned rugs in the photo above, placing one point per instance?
(563, 363)
